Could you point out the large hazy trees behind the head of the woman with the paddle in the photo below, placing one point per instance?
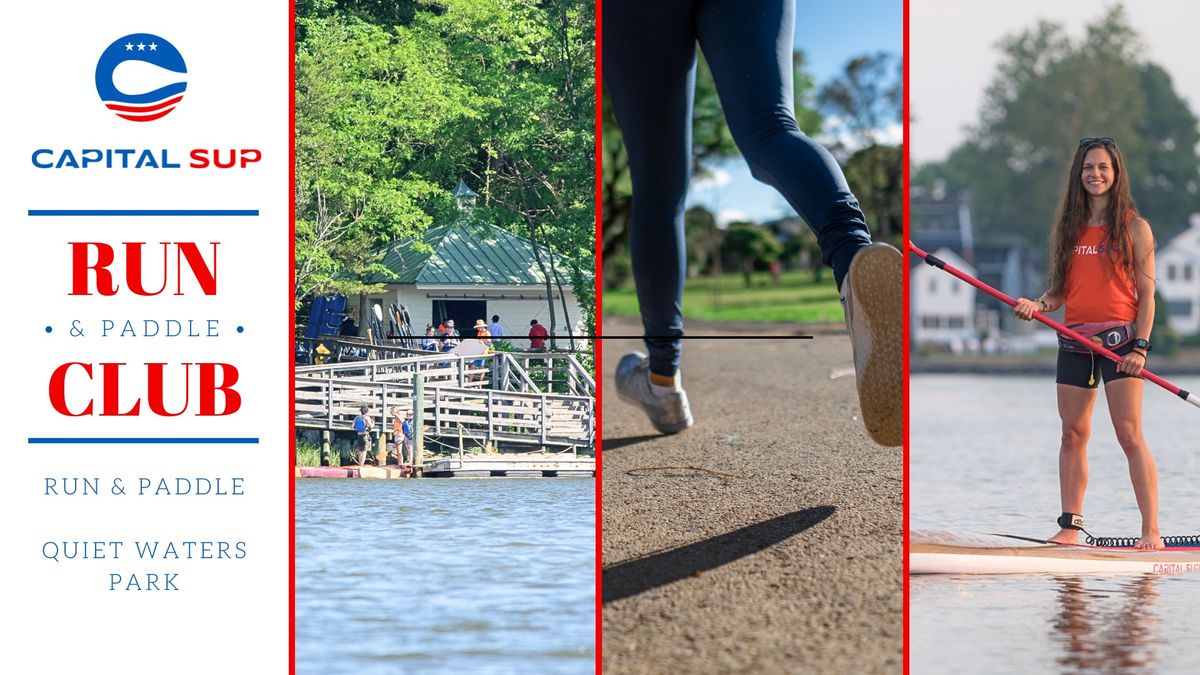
(1051, 92)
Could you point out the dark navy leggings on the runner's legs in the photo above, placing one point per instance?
(650, 68)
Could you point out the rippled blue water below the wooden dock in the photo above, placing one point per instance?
(446, 576)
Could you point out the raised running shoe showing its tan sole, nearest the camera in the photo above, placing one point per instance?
(872, 298)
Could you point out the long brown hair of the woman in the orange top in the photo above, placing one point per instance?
(1075, 213)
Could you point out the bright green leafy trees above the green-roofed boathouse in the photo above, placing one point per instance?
(395, 101)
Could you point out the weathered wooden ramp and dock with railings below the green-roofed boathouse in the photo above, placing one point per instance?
(500, 402)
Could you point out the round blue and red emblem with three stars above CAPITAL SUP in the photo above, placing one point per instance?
(141, 77)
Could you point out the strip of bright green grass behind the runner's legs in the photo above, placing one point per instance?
(797, 300)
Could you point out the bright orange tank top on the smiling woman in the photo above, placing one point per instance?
(1097, 290)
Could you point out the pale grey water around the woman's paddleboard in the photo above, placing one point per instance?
(985, 459)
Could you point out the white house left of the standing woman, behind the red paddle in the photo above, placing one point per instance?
(943, 307)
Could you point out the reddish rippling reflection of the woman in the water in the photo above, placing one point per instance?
(1107, 629)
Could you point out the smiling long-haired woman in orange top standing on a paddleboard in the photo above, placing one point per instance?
(1102, 268)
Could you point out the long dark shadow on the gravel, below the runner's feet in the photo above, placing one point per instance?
(634, 577)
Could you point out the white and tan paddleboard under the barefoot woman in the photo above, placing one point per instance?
(927, 558)
